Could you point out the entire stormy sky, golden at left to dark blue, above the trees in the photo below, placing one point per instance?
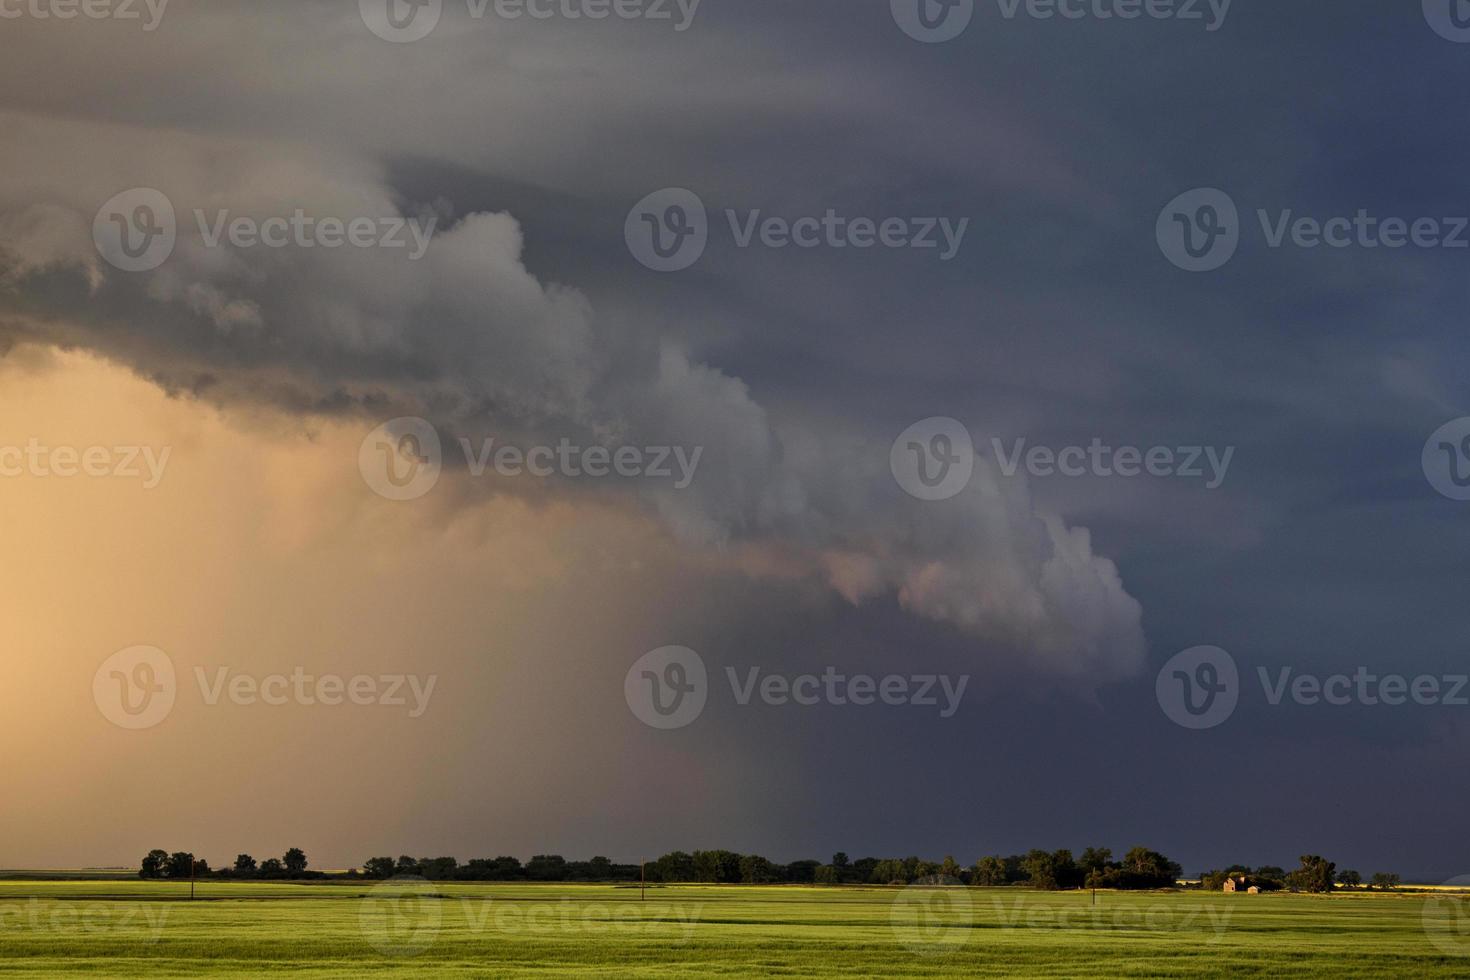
(1046, 158)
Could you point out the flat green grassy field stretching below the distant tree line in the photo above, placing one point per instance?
(132, 928)
